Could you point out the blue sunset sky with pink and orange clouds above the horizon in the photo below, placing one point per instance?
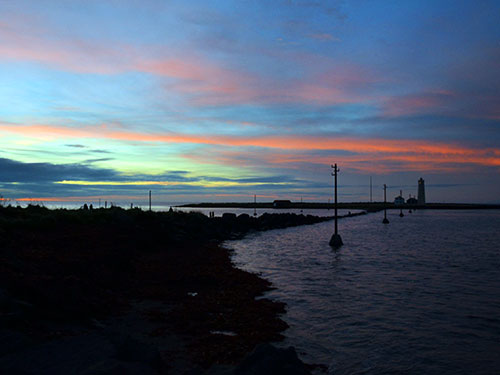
(202, 101)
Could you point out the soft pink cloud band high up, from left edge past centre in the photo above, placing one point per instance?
(195, 78)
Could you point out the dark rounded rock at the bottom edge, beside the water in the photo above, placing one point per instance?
(267, 359)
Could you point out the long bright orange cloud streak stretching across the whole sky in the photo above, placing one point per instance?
(412, 152)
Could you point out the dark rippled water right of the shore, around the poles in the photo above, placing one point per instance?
(420, 295)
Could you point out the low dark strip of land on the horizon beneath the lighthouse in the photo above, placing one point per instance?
(366, 206)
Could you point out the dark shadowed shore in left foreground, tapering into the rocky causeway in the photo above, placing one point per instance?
(108, 291)
